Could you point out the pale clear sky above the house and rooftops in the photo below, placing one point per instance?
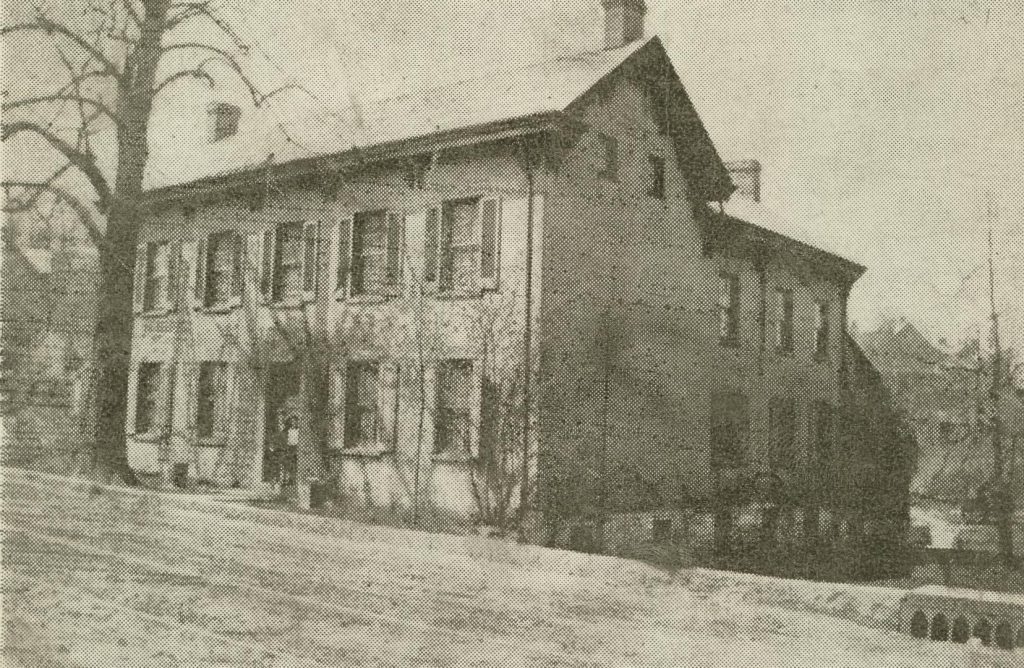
(885, 128)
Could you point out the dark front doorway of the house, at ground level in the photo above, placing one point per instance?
(282, 424)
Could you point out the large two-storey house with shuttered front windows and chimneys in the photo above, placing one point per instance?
(539, 256)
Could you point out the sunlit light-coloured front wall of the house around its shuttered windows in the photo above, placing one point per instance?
(409, 335)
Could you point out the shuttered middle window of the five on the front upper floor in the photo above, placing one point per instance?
(291, 255)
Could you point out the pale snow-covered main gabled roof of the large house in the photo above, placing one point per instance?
(506, 102)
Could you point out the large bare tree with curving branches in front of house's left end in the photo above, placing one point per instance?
(114, 58)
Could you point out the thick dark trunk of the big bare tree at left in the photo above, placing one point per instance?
(115, 317)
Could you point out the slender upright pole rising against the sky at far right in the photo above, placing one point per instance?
(1001, 495)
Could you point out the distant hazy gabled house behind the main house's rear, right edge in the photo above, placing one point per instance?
(946, 396)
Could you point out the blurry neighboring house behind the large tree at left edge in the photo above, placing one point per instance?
(48, 314)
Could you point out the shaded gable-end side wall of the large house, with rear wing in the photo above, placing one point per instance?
(630, 333)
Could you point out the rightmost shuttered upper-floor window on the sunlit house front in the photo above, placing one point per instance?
(463, 246)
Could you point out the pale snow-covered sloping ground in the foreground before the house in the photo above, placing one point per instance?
(102, 577)
